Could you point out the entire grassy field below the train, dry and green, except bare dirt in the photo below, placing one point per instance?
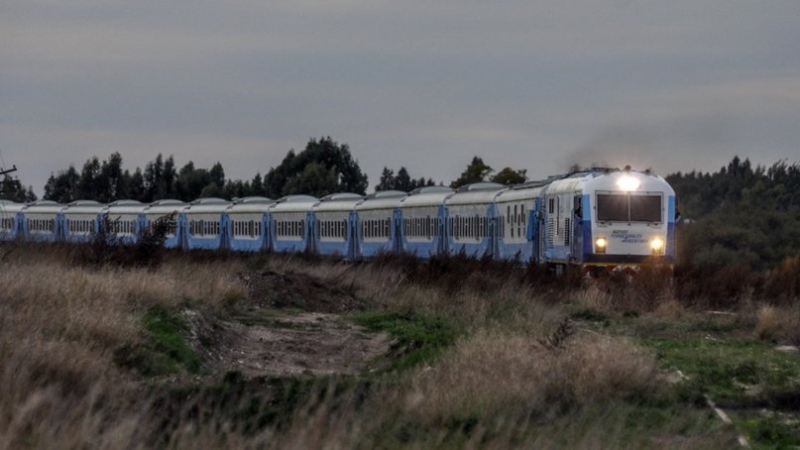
(482, 355)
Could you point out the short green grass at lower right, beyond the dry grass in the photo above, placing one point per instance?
(720, 358)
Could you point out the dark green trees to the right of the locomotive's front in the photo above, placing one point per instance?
(741, 215)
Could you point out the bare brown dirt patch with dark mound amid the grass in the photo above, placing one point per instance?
(292, 326)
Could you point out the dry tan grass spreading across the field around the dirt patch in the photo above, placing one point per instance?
(498, 387)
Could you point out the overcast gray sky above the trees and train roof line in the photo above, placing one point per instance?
(678, 85)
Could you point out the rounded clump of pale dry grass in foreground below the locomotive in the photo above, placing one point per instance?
(488, 373)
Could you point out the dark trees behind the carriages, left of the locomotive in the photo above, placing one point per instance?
(323, 167)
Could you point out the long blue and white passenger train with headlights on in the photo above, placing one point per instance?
(600, 218)
